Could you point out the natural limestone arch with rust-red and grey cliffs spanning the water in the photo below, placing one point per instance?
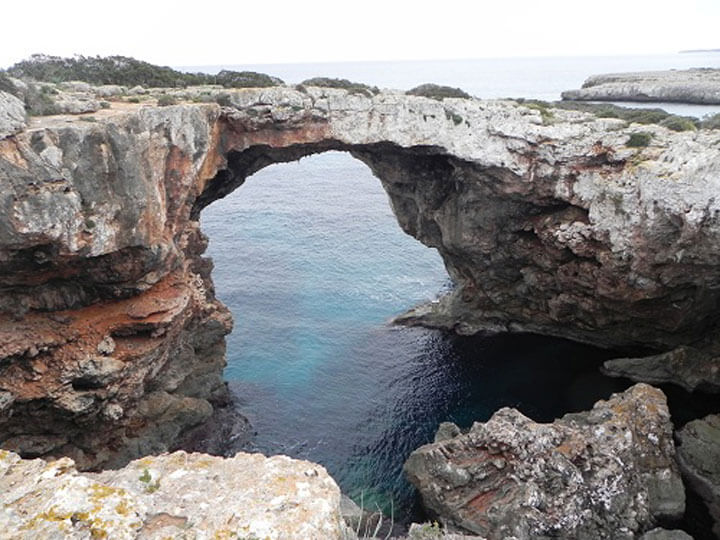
(111, 339)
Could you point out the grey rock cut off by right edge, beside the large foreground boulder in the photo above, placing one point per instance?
(699, 458)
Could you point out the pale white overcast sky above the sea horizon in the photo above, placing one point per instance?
(206, 32)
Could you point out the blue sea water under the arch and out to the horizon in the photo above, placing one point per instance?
(312, 263)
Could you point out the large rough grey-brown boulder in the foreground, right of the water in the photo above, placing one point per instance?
(606, 473)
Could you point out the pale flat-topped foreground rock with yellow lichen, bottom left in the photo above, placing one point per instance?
(175, 495)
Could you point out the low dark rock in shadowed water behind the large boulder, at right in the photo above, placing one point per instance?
(693, 369)
